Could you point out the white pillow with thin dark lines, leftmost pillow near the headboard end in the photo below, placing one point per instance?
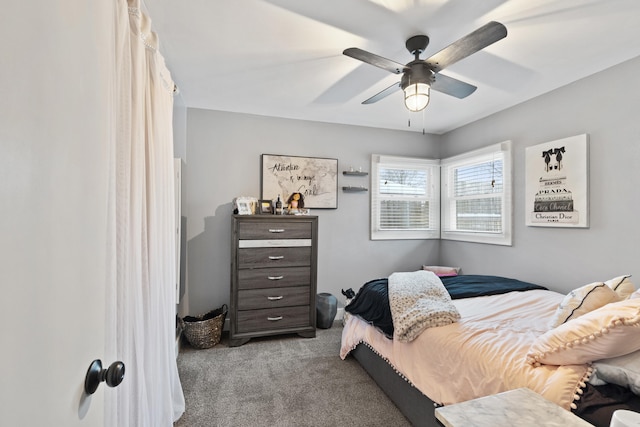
(583, 300)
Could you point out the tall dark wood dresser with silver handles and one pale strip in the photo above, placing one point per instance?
(273, 276)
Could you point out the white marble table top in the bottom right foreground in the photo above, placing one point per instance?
(520, 407)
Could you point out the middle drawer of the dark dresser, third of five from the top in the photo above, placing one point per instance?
(273, 277)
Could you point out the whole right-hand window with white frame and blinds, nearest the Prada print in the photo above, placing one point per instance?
(476, 196)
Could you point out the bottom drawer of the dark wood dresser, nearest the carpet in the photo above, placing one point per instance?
(272, 318)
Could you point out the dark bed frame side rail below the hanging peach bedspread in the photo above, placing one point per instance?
(418, 408)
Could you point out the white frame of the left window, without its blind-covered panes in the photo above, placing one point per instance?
(433, 196)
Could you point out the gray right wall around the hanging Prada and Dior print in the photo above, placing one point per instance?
(606, 106)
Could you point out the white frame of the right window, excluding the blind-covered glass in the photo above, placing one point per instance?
(502, 150)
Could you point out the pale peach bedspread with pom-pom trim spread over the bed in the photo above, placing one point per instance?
(483, 353)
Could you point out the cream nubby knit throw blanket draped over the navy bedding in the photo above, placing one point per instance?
(418, 301)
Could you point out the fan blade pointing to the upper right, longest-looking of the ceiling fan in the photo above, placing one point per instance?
(467, 45)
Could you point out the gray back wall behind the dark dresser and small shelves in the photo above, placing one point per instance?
(223, 162)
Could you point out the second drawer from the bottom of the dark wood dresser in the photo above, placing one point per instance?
(252, 299)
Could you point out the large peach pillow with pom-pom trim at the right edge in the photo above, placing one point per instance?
(609, 331)
